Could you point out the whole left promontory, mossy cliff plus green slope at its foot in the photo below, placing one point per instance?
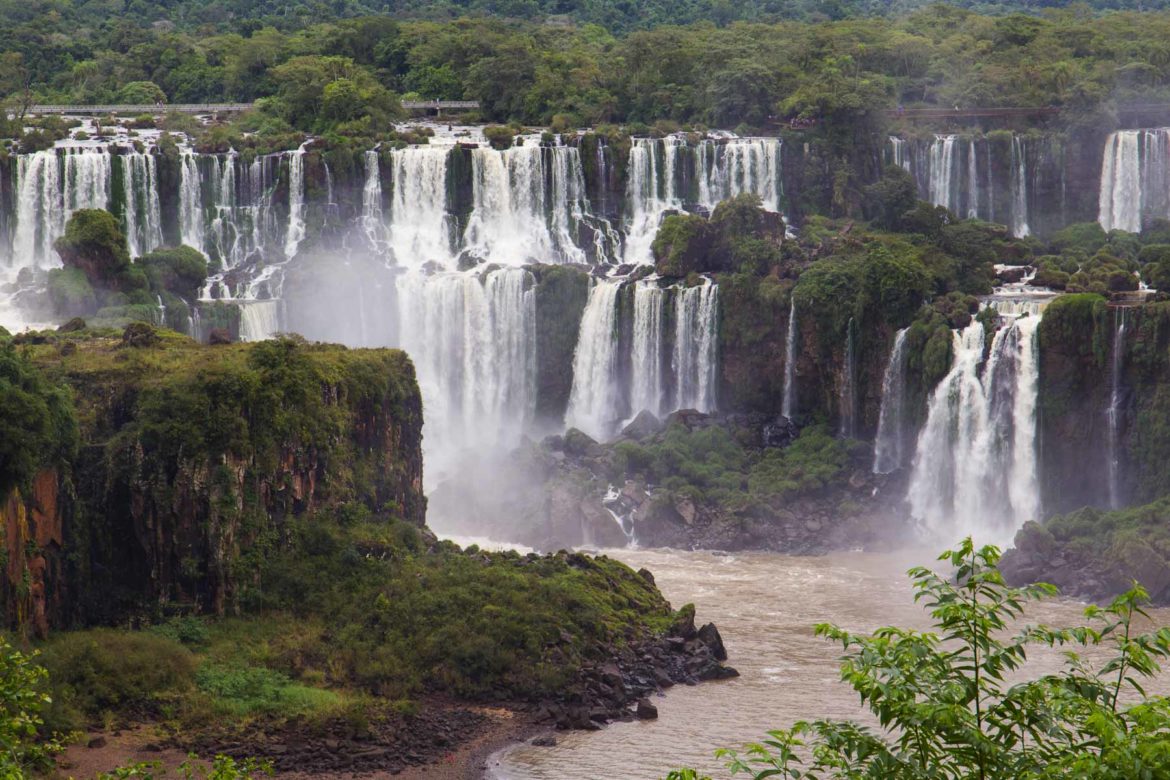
(256, 514)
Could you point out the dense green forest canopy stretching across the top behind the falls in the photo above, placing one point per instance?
(536, 65)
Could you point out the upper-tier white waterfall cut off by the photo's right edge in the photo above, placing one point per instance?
(1135, 182)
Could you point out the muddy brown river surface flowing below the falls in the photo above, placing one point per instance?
(766, 606)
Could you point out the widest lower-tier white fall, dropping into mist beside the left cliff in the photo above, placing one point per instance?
(472, 337)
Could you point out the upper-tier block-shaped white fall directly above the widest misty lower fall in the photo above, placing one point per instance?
(421, 230)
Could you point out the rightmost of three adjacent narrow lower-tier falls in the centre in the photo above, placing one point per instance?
(697, 347)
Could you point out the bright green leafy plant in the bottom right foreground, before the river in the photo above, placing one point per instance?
(948, 710)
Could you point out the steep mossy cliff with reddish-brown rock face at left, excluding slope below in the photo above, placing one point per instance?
(194, 461)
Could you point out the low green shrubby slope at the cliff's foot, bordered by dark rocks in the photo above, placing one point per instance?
(355, 615)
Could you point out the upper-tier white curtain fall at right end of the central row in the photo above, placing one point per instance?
(737, 167)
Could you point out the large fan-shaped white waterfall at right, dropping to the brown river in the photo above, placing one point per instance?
(975, 466)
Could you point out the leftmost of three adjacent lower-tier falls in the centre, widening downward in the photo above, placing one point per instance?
(594, 402)
